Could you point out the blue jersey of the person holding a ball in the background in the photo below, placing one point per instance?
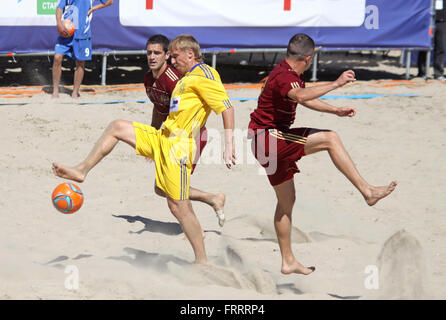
(76, 11)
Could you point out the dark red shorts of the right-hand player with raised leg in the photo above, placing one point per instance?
(278, 151)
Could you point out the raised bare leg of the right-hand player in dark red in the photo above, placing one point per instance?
(330, 141)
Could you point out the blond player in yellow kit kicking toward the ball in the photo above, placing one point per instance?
(173, 146)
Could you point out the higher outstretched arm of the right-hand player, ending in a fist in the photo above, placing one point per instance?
(305, 94)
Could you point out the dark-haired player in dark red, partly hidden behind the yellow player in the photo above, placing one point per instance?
(159, 82)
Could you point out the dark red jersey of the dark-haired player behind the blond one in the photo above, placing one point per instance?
(159, 90)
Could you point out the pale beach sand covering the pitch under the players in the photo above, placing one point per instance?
(125, 244)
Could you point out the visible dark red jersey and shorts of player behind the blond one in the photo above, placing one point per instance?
(159, 92)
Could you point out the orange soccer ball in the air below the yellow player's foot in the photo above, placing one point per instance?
(67, 198)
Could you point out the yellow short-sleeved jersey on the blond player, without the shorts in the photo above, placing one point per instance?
(196, 94)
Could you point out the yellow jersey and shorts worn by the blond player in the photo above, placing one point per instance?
(187, 114)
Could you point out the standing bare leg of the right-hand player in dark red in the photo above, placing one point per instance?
(282, 222)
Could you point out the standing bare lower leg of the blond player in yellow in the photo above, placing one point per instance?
(182, 210)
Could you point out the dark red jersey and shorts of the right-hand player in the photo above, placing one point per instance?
(274, 144)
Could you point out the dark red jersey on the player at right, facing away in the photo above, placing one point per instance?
(274, 108)
